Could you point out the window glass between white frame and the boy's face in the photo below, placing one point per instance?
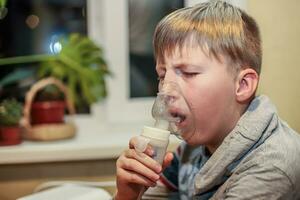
(143, 17)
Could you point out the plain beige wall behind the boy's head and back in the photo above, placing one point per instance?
(280, 30)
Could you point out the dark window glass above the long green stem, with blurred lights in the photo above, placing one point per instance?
(32, 26)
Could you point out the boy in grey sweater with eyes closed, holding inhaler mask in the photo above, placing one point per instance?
(235, 145)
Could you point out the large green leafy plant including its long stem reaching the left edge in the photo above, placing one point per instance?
(78, 62)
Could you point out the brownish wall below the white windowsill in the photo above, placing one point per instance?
(21, 179)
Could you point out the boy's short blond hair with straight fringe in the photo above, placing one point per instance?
(215, 26)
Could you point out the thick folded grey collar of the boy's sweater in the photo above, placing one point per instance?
(256, 124)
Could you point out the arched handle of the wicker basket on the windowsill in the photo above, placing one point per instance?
(30, 95)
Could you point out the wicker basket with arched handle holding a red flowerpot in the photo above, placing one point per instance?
(44, 121)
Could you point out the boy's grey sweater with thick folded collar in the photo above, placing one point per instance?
(260, 159)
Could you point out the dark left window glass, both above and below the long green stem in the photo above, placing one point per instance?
(33, 27)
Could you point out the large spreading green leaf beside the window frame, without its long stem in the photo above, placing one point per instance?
(82, 65)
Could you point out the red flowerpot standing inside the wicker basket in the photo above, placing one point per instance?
(47, 112)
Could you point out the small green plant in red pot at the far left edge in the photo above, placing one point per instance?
(10, 115)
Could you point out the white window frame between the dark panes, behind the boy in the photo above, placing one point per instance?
(107, 26)
